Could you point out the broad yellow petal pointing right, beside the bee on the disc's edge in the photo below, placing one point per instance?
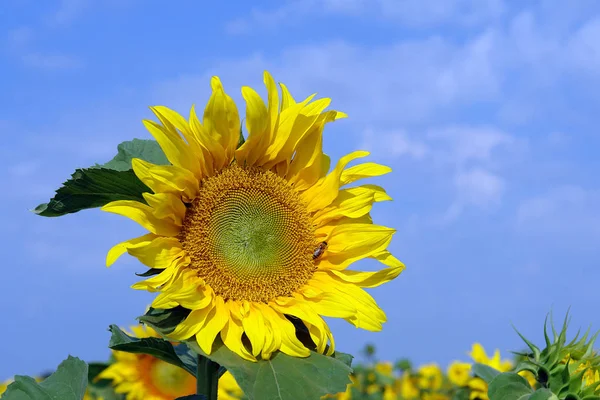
(352, 242)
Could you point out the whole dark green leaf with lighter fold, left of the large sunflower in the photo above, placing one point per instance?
(99, 185)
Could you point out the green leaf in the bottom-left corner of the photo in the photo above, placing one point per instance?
(68, 382)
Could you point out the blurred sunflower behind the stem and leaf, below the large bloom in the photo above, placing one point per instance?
(144, 377)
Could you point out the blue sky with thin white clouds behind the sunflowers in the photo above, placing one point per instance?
(485, 109)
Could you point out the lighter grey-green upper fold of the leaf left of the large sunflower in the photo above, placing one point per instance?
(147, 150)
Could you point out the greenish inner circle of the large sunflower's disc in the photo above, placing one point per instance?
(249, 231)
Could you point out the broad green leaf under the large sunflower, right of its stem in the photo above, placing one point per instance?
(282, 377)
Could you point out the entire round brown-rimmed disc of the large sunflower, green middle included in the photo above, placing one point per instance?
(249, 236)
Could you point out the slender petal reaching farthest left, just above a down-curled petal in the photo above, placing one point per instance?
(143, 215)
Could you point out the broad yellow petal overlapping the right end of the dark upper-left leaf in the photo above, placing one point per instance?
(166, 178)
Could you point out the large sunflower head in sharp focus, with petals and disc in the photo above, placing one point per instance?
(255, 240)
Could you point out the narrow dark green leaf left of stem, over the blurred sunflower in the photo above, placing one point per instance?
(159, 348)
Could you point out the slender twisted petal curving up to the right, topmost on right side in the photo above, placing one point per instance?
(325, 191)
